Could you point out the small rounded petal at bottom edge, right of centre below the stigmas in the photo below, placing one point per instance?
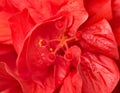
(72, 83)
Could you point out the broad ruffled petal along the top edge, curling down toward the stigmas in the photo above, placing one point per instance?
(40, 12)
